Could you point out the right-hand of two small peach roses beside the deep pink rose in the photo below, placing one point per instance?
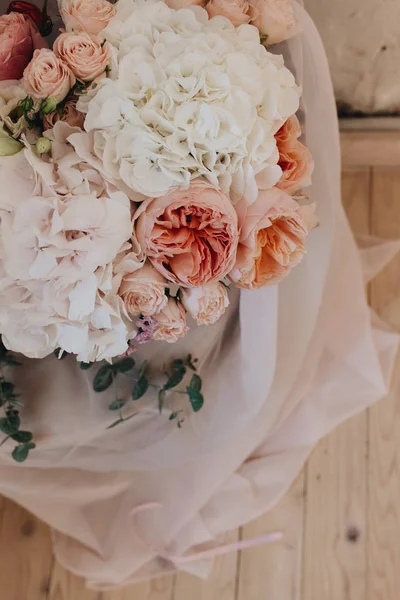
(85, 55)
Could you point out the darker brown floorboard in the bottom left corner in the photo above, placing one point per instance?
(25, 555)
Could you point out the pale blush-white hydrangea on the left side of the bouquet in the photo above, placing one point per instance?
(61, 227)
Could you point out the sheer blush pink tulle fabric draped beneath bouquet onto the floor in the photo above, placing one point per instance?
(284, 365)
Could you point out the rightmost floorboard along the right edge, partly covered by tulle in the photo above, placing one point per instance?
(384, 418)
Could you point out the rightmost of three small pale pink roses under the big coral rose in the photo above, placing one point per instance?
(206, 304)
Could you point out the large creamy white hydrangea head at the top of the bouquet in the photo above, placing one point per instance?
(188, 96)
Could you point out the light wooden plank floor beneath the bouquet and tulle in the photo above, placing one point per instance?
(341, 516)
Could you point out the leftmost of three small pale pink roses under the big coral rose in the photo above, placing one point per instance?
(143, 292)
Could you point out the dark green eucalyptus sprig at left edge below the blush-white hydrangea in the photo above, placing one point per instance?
(9, 402)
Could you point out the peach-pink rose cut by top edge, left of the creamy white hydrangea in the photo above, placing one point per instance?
(91, 16)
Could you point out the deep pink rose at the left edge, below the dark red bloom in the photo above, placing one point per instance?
(19, 38)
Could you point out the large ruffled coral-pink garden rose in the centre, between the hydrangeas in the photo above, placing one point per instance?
(190, 235)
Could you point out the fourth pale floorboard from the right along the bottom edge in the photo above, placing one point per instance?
(221, 583)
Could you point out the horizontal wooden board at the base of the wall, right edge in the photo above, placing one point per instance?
(370, 148)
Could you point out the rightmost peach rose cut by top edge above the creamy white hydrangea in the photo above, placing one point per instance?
(274, 19)
